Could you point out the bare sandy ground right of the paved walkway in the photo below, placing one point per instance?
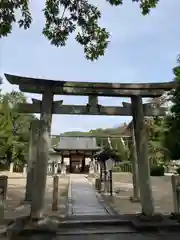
(122, 183)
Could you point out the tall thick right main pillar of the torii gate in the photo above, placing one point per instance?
(147, 202)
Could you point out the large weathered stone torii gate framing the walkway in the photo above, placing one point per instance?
(47, 107)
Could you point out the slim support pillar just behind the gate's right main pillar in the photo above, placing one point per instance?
(135, 197)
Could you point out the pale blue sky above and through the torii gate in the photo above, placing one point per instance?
(142, 49)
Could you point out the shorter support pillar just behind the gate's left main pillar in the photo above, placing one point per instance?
(32, 158)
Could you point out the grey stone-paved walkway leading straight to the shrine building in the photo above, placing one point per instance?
(82, 198)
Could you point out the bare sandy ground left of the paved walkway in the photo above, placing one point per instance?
(16, 193)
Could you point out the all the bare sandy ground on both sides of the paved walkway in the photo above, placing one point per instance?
(122, 183)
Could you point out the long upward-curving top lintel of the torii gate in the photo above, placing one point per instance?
(35, 85)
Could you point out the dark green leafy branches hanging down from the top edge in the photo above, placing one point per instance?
(62, 18)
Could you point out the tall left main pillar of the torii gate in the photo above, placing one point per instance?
(43, 155)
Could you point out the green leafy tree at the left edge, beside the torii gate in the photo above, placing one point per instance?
(14, 129)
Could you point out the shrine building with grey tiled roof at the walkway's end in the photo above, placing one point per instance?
(76, 153)
